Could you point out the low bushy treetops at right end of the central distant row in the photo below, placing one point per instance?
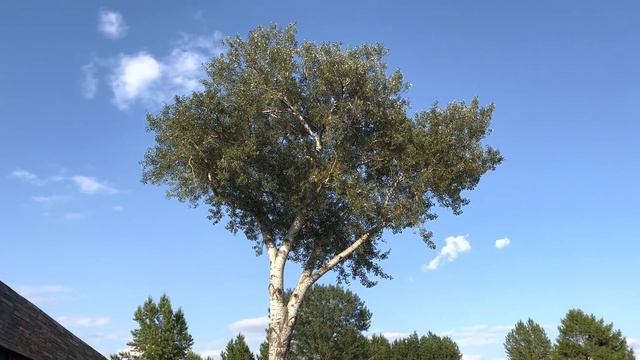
(429, 347)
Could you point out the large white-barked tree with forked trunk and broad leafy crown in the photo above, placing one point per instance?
(309, 150)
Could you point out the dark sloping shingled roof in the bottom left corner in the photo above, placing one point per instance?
(28, 331)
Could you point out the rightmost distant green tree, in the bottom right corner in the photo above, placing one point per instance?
(582, 336)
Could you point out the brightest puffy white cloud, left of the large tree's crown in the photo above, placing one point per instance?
(133, 77)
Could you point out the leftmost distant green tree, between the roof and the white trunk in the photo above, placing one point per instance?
(162, 333)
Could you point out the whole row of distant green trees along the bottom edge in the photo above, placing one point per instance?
(332, 322)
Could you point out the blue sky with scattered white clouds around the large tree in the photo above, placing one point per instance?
(86, 241)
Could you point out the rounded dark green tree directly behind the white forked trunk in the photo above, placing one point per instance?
(329, 325)
